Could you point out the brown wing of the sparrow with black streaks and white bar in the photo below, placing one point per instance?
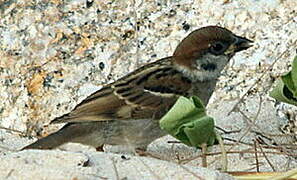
(148, 92)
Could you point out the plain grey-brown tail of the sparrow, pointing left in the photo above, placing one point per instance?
(53, 140)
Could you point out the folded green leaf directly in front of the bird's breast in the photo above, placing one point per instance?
(187, 121)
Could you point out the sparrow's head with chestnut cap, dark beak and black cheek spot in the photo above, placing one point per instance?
(204, 53)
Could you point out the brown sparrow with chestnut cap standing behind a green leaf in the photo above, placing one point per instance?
(127, 111)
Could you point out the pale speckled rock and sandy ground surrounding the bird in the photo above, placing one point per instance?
(55, 53)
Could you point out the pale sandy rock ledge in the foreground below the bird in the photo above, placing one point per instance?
(59, 165)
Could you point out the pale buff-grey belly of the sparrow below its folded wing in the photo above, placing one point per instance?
(135, 133)
